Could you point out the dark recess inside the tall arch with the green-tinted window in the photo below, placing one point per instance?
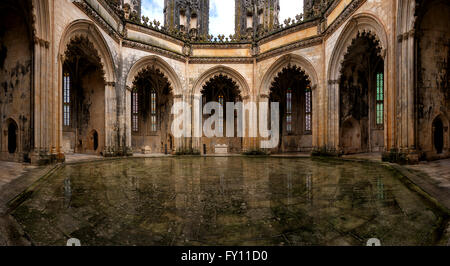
(361, 93)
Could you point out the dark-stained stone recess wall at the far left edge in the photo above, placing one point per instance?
(15, 82)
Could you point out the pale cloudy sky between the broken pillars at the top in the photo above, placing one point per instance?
(221, 13)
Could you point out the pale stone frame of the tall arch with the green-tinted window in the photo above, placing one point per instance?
(359, 26)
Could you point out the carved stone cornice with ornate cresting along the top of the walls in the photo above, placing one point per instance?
(154, 28)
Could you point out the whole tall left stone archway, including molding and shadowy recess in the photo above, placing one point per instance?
(89, 83)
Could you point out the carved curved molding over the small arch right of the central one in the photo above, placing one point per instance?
(289, 60)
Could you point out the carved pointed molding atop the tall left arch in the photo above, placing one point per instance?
(88, 30)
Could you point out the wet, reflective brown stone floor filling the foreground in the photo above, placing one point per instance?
(226, 201)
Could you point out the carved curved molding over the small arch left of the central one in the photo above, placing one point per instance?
(157, 63)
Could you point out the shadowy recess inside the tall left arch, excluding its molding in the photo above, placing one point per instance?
(83, 98)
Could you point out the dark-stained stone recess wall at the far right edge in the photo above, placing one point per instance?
(433, 75)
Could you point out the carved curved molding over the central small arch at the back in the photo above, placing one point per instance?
(224, 71)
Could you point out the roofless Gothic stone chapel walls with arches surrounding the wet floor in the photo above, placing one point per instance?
(98, 77)
